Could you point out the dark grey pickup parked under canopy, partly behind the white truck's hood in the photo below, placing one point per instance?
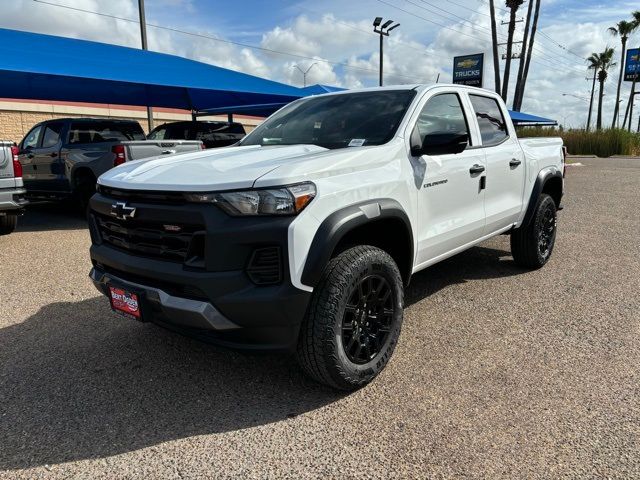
(64, 157)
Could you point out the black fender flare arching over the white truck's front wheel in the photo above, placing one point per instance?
(339, 223)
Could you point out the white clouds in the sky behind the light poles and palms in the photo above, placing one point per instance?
(346, 50)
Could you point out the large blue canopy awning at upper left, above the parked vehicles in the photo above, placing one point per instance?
(46, 67)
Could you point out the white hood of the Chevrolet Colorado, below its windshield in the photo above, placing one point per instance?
(217, 169)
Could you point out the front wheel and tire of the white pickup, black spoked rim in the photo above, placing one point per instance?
(354, 319)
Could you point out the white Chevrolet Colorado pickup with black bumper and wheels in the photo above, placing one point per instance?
(303, 236)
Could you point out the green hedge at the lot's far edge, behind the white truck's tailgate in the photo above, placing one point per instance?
(603, 143)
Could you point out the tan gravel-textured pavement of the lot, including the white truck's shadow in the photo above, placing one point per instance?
(499, 373)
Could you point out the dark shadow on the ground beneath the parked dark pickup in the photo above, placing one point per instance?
(42, 217)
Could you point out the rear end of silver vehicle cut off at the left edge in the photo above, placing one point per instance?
(12, 192)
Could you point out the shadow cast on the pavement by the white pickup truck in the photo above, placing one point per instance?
(80, 383)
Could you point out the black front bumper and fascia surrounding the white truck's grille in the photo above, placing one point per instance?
(215, 297)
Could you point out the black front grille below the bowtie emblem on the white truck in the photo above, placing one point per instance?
(149, 239)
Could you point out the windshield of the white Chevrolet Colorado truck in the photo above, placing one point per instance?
(336, 121)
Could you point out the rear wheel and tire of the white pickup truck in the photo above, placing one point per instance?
(532, 244)
